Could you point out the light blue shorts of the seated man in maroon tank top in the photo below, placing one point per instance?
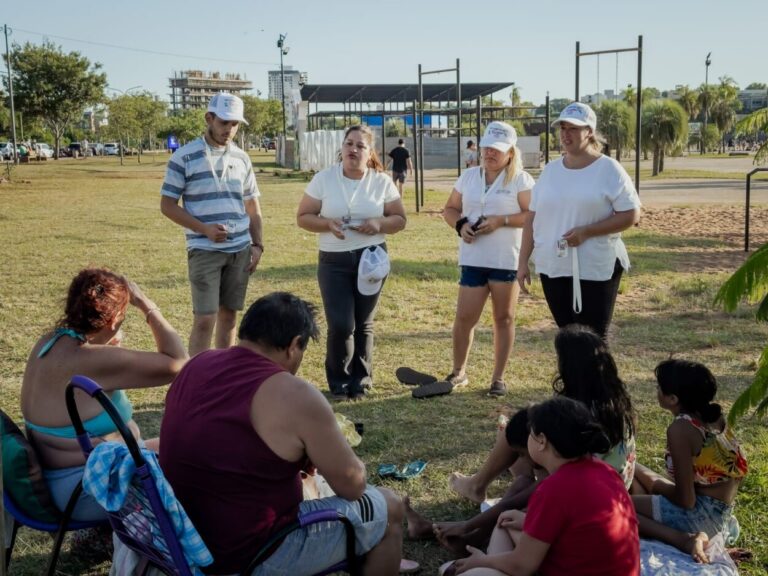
(309, 550)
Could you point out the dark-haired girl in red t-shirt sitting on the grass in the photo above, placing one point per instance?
(580, 519)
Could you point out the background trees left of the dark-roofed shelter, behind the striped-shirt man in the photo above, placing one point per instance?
(53, 90)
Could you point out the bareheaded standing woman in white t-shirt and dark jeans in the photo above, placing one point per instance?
(352, 205)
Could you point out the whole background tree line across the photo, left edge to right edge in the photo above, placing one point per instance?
(53, 89)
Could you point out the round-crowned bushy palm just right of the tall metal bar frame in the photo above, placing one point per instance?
(665, 125)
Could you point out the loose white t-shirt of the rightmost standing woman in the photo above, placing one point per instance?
(564, 198)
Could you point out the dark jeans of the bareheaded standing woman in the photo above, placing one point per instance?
(349, 315)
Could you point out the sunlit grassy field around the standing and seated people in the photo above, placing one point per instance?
(58, 217)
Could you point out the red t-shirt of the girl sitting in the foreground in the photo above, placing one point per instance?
(586, 515)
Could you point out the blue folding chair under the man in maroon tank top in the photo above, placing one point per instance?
(144, 498)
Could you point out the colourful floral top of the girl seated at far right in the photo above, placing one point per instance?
(720, 458)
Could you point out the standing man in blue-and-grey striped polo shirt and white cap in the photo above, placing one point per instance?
(221, 218)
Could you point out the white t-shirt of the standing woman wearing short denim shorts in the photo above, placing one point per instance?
(501, 248)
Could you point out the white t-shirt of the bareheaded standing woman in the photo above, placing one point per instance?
(358, 199)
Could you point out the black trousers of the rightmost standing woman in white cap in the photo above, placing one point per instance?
(598, 298)
